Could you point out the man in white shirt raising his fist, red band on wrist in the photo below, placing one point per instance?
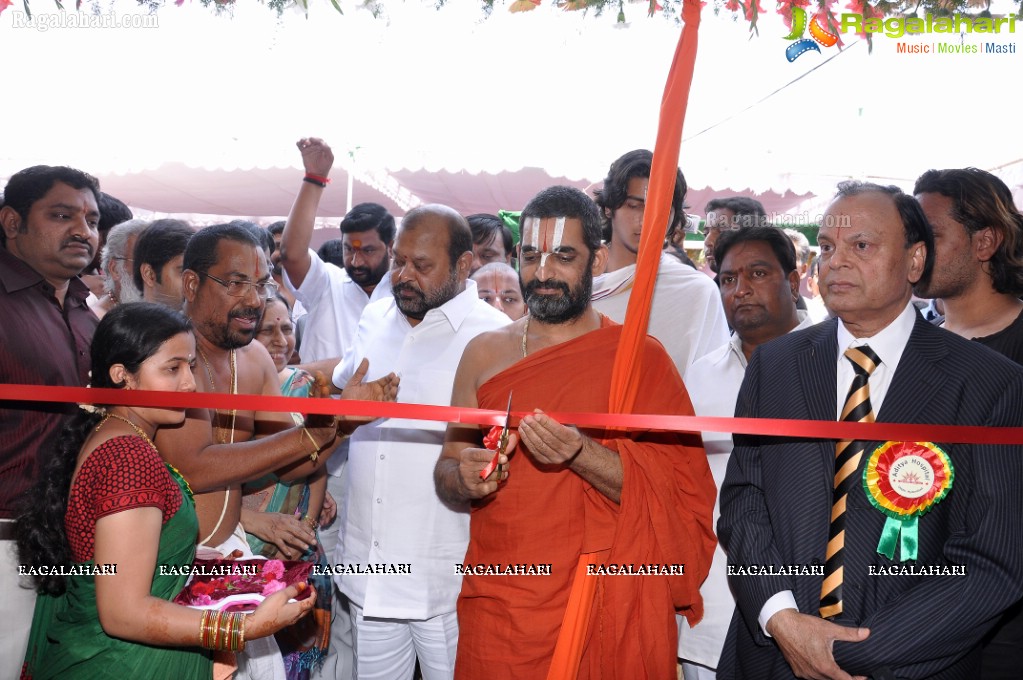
(335, 299)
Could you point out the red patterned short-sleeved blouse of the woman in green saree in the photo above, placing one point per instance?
(122, 474)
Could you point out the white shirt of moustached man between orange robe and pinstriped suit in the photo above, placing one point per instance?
(714, 383)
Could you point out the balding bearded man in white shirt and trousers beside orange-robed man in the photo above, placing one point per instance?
(391, 515)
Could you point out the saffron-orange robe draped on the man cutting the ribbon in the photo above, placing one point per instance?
(546, 515)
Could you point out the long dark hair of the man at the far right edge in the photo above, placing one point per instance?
(981, 200)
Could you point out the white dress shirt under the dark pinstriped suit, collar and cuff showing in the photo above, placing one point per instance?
(888, 344)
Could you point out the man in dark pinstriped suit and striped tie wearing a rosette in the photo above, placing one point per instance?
(854, 599)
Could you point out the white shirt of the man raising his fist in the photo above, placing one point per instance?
(335, 303)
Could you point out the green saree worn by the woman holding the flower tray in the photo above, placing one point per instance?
(68, 643)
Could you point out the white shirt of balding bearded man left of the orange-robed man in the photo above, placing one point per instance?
(391, 513)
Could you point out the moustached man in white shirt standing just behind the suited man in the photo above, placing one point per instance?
(760, 283)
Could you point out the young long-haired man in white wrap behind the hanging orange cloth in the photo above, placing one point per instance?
(686, 315)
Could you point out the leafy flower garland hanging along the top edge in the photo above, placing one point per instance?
(750, 10)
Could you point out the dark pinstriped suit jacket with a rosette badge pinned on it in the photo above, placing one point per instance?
(777, 498)
